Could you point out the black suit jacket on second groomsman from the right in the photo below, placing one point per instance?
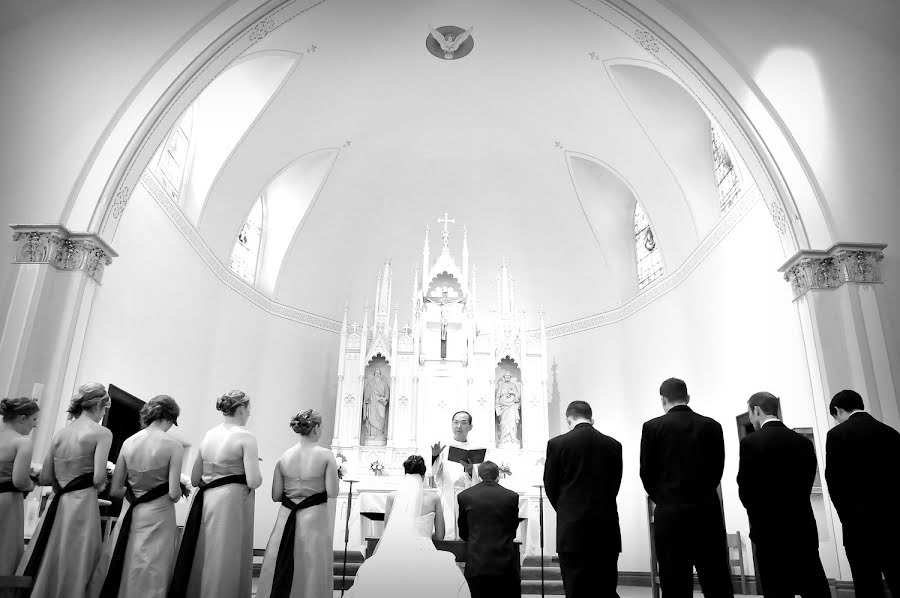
(775, 477)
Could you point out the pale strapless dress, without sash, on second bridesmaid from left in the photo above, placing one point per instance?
(74, 542)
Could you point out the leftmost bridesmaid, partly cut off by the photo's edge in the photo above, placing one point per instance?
(19, 419)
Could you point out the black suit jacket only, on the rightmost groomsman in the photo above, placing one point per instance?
(862, 463)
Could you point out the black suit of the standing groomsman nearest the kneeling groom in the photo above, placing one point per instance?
(582, 475)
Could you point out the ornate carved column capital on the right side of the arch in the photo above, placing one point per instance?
(829, 269)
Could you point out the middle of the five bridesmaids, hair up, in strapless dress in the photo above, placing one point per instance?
(137, 558)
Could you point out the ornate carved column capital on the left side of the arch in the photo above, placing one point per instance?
(57, 246)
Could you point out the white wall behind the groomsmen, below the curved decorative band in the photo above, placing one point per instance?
(730, 330)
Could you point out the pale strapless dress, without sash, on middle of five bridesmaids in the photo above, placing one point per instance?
(150, 553)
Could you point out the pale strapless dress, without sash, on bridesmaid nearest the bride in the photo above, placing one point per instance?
(313, 544)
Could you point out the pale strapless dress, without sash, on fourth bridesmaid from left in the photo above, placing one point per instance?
(223, 560)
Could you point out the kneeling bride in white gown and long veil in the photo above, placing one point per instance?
(405, 552)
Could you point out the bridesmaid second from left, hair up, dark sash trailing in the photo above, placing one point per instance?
(65, 546)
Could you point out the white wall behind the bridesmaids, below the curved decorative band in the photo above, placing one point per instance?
(162, 323)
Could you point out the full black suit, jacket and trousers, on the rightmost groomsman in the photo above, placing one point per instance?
(861, 467)
